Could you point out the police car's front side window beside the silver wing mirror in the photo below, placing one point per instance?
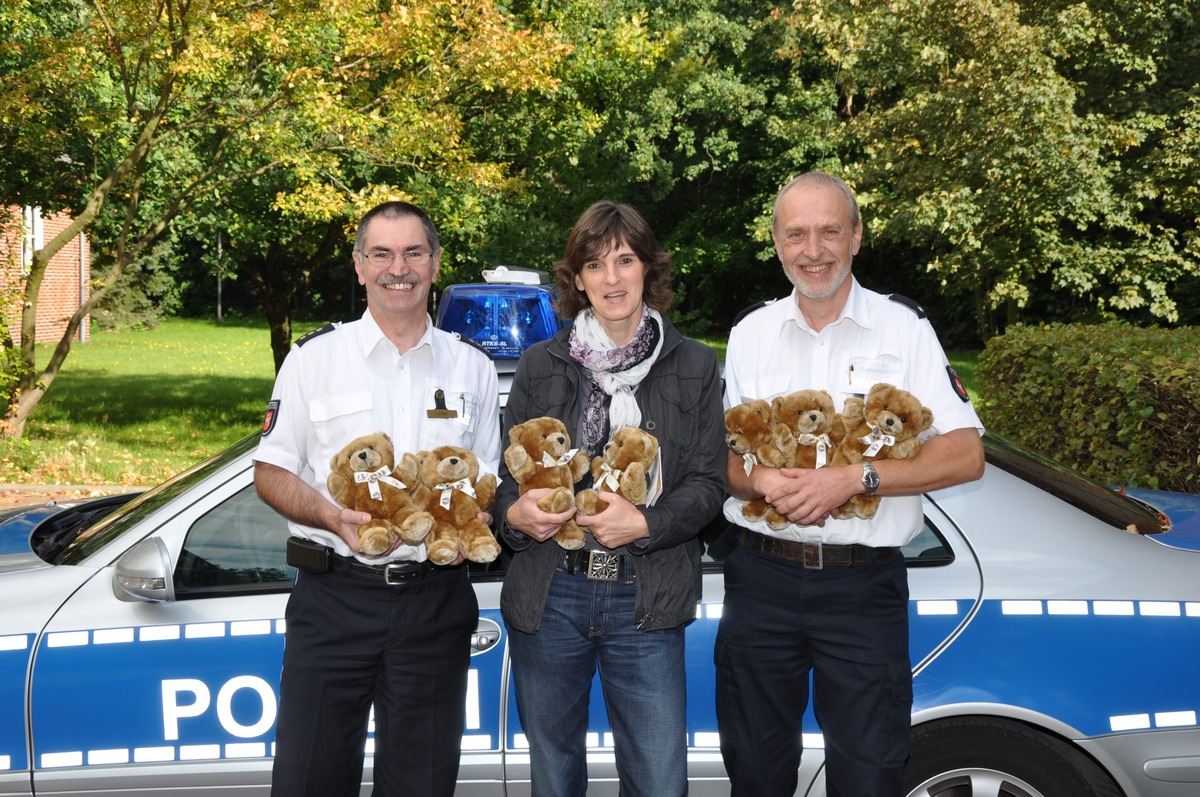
(237, 547)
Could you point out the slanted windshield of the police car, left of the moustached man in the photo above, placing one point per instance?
(82, 542)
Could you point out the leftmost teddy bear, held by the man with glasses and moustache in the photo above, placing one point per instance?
(365, 477)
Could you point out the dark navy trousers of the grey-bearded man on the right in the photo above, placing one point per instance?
(849, 627)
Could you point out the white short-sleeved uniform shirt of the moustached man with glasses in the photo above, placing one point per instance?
(353, 381)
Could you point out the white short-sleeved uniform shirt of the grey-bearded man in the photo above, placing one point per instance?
(773, 352)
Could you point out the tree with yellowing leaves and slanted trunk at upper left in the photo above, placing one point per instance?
(141, 112)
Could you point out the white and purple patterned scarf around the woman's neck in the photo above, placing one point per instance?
(615, 371)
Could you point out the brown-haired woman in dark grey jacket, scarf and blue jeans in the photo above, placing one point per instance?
(620, 364)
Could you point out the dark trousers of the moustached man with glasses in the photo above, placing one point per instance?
(355, 642)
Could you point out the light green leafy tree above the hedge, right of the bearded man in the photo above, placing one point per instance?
(979, 148)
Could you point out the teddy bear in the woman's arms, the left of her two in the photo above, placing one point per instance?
(541, 456)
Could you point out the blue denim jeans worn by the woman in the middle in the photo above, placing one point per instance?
(590, 624)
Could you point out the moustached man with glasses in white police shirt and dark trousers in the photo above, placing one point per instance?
(393, 631)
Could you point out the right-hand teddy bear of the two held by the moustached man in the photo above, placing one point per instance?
(454, 494)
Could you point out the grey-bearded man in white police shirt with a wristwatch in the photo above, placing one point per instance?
(829, 596)
